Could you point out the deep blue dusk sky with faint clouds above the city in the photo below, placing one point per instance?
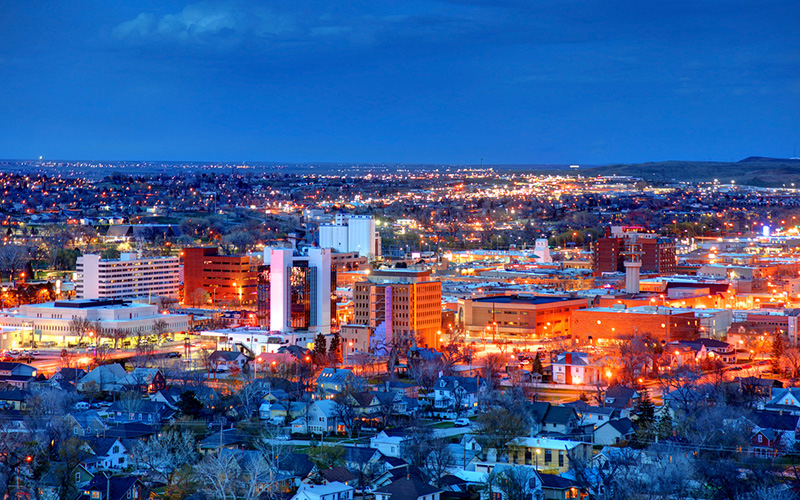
(450, 81)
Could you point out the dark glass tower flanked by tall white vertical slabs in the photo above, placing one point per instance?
(295, 291)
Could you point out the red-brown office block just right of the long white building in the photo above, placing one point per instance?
(225, 278)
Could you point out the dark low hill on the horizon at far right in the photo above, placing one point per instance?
(752, 171)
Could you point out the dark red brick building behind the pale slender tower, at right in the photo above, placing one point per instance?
(658, 253)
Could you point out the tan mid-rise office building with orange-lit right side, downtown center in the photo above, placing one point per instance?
(401, 303)
